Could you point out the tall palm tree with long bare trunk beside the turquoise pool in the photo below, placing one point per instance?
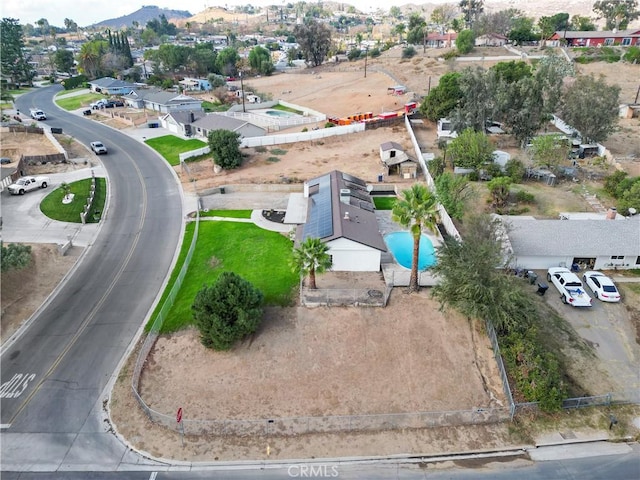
(417, 209)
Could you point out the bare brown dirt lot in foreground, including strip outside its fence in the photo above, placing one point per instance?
(406, 357)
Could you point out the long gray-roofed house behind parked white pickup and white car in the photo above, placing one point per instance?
(596, 241)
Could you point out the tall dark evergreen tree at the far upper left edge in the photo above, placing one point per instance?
(13, 61)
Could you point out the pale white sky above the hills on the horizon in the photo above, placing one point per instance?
(87, 12)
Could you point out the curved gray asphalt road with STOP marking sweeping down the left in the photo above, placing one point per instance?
(54, 376)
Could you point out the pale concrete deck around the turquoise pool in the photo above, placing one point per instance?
(396, 275)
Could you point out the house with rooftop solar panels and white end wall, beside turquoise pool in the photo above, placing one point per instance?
(341, 213)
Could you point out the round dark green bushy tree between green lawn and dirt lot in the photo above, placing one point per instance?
(227, 311)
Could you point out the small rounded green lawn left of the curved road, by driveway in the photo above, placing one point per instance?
(53, 207)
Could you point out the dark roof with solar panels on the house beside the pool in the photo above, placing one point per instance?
(361, 226)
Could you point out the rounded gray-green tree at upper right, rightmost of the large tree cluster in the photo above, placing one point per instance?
(591, 107)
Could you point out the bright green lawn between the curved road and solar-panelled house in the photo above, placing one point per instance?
(259, 256)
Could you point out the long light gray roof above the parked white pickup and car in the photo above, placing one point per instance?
(578, 238)
